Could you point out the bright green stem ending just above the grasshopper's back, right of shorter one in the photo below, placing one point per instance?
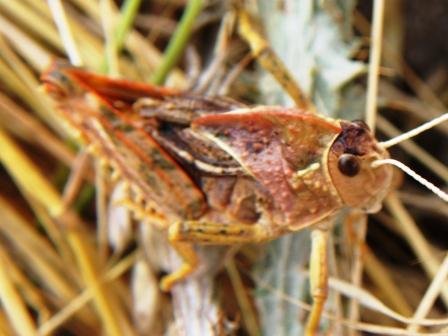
(178, 41)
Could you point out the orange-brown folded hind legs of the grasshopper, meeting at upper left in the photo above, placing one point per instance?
(100, 109)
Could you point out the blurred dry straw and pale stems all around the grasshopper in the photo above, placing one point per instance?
(72, 263)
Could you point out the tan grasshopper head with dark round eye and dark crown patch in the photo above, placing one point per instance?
(350, 160)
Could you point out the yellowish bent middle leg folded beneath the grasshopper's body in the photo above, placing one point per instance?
(182, 235)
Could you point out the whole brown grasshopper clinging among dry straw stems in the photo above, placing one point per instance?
(212, 170)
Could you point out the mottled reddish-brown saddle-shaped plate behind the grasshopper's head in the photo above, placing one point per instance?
(299, 186)
